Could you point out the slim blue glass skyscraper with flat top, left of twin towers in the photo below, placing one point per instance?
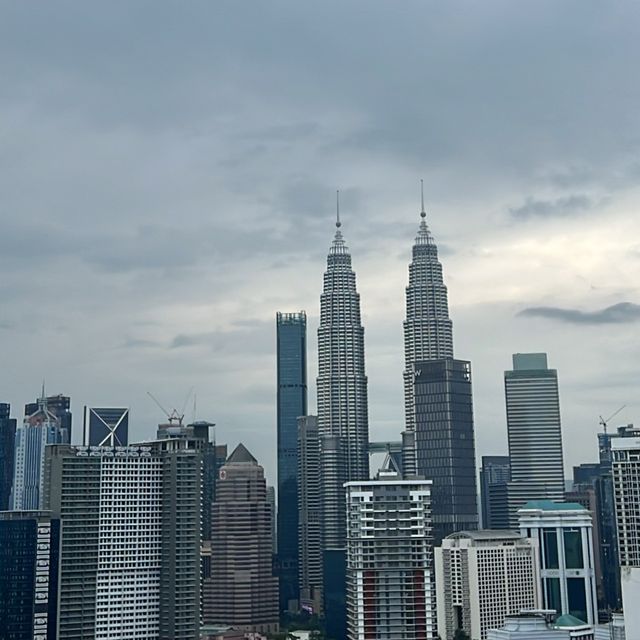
(291, 332)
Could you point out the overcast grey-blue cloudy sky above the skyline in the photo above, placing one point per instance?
(168, 174)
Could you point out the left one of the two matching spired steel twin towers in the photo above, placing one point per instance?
(343, 423)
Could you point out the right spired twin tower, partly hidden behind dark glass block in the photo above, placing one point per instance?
(428, 330)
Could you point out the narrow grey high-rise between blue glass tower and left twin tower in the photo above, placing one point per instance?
(310, 515)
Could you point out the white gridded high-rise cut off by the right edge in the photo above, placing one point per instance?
(625, 451)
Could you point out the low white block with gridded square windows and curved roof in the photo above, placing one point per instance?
(481, 578)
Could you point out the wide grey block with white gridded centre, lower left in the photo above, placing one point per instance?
(130, 549)
